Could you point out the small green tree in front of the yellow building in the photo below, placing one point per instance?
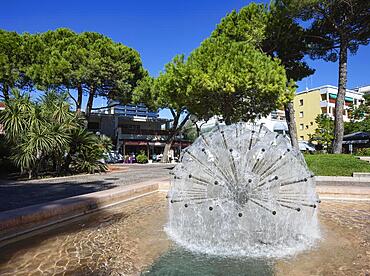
(324, 133)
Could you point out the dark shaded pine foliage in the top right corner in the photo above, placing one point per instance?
(334, 23)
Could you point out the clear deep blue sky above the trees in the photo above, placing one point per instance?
(157, 29)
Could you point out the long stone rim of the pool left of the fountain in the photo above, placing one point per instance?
(28, 219)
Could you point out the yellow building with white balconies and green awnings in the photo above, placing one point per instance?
(321, 100)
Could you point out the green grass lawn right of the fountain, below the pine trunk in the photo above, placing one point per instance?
(335, 164)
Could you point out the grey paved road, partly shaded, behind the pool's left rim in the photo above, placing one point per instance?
(17, 194)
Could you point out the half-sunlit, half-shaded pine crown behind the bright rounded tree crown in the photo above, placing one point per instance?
(272, 29)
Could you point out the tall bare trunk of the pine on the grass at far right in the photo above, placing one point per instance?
(339, 104)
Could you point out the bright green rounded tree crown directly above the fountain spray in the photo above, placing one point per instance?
(236, 80)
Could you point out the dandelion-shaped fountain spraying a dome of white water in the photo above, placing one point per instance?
(242, 190)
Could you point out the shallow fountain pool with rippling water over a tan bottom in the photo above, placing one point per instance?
(129, 239)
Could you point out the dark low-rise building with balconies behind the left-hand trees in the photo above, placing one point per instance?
(133, 128)
